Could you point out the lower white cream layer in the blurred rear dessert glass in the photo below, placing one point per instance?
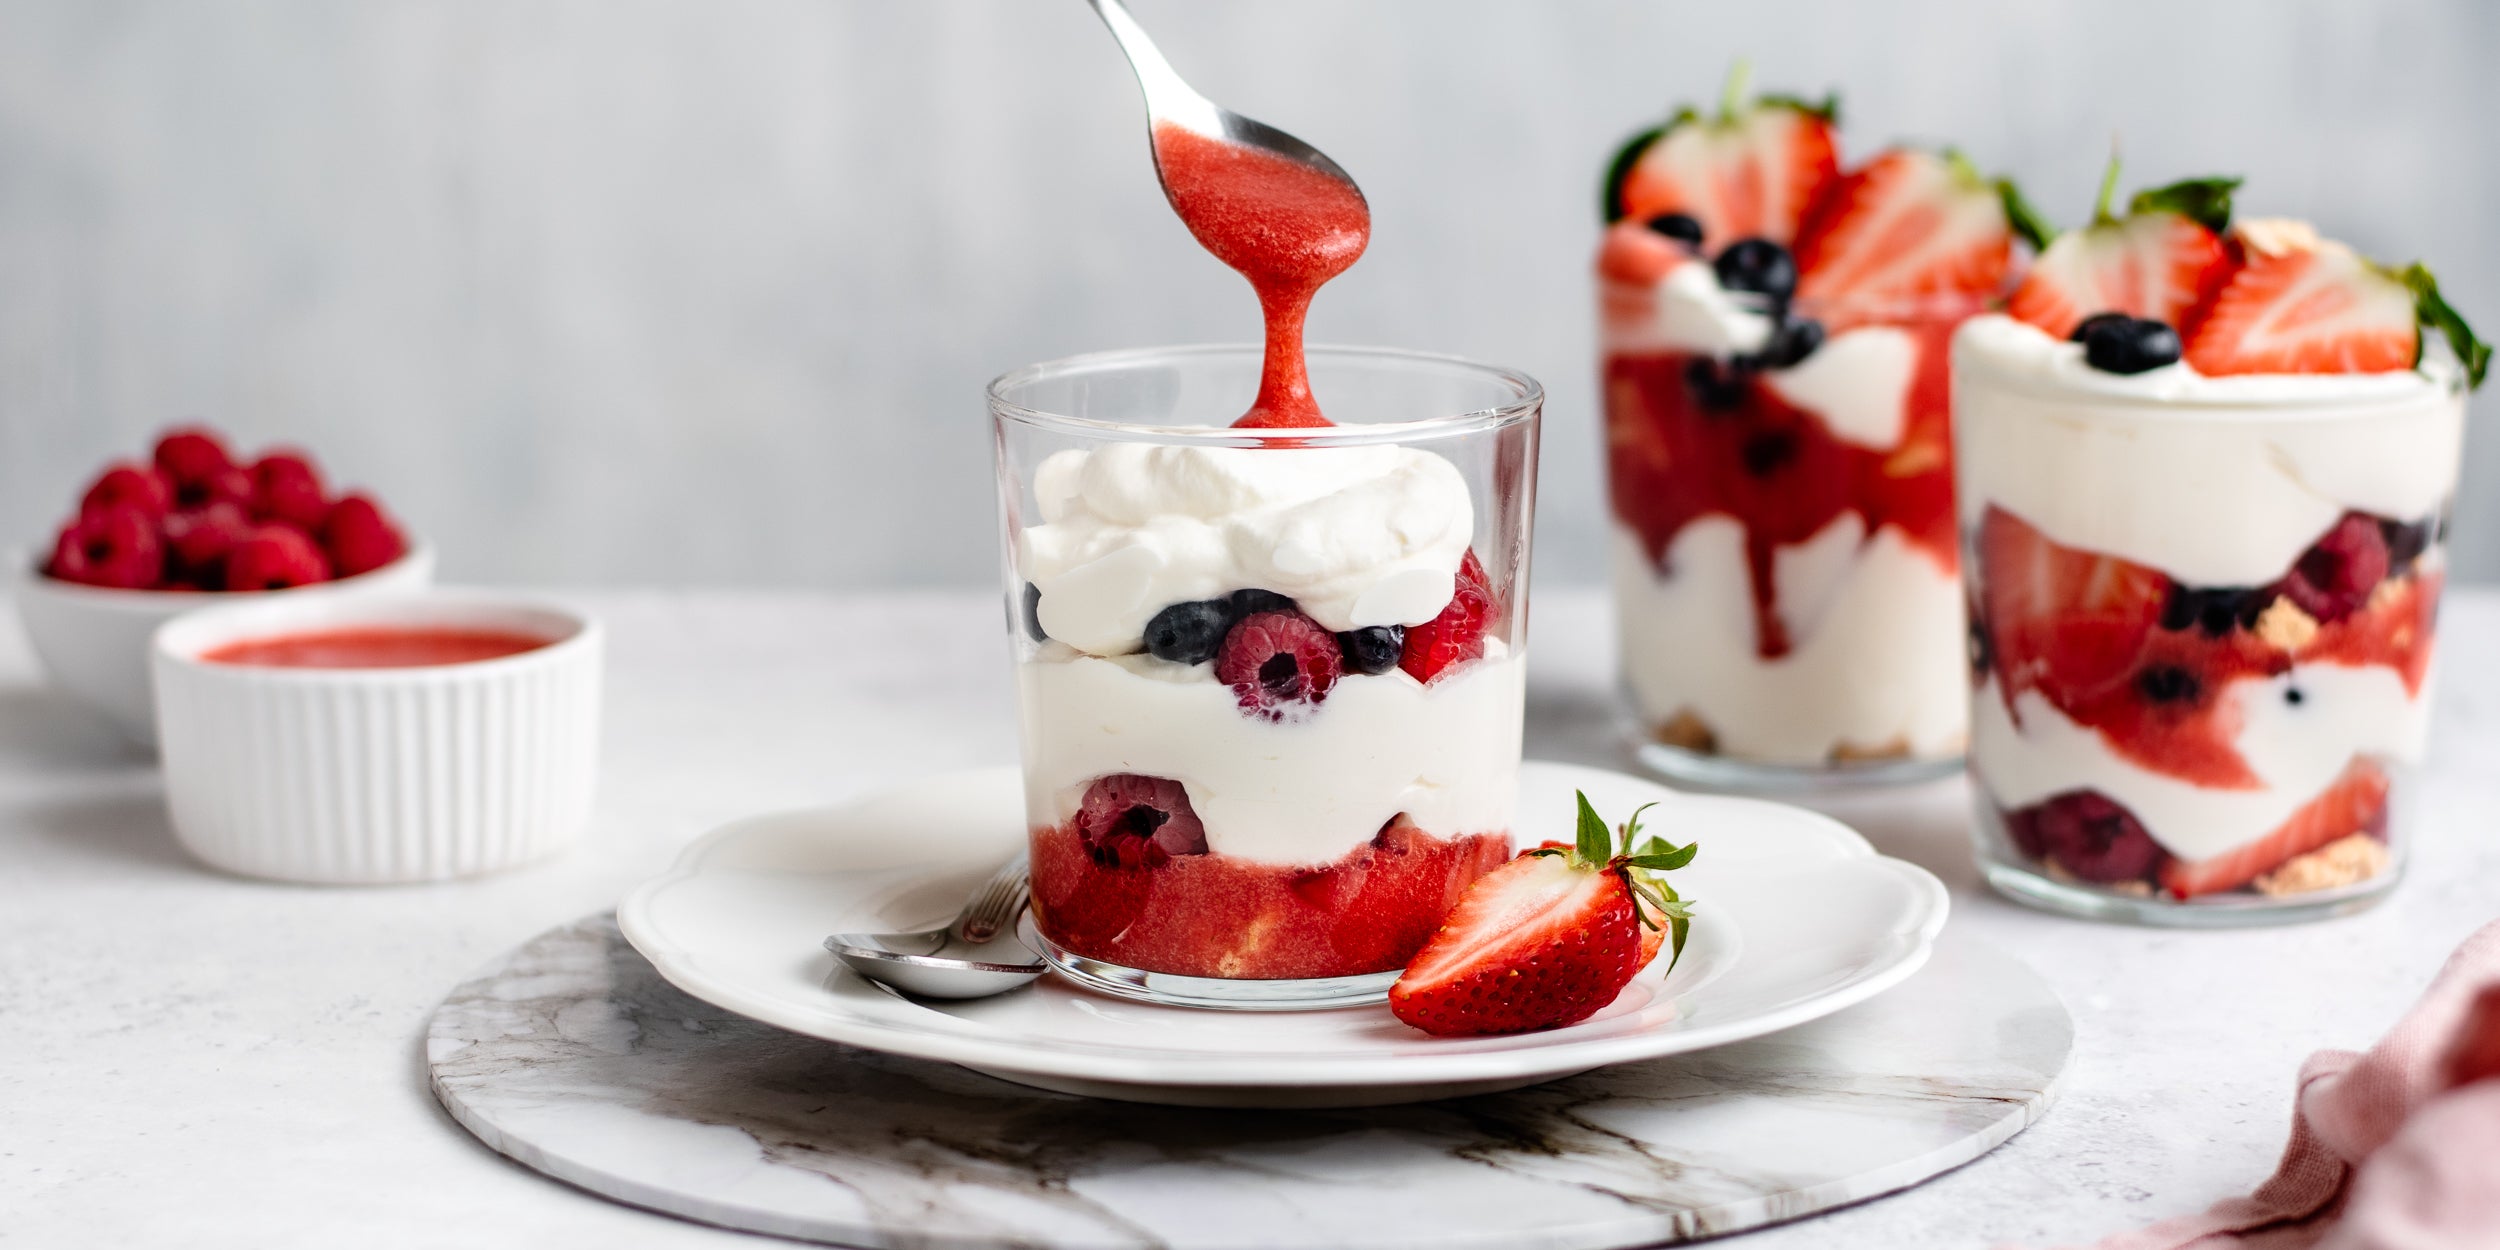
(1879, 644)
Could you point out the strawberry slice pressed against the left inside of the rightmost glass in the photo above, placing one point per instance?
(2061, 621)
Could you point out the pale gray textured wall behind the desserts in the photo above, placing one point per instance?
(704, 291)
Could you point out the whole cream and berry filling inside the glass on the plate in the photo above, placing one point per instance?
(1271, 716)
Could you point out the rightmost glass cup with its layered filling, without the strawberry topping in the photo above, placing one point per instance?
(2204, 619)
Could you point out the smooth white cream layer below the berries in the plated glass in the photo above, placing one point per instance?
(1289, 794)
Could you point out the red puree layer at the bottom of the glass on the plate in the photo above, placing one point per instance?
(1219, 916)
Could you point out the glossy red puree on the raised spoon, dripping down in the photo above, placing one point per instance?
(1289, 229)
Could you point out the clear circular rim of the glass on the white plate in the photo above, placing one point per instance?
(1529, 396)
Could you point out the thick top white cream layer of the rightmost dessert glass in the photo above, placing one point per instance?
(2214, 481)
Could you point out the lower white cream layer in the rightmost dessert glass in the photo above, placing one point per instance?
(2296, 751)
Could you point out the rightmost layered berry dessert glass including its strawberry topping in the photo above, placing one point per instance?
(2206, 476)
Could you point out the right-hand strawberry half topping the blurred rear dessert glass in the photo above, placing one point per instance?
(1906, 224)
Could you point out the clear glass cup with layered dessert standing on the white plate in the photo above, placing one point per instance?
(1269, 681)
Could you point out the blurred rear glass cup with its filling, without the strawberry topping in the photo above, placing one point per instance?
(1786, 566)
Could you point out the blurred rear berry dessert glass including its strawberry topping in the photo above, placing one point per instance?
(1774, 336)
